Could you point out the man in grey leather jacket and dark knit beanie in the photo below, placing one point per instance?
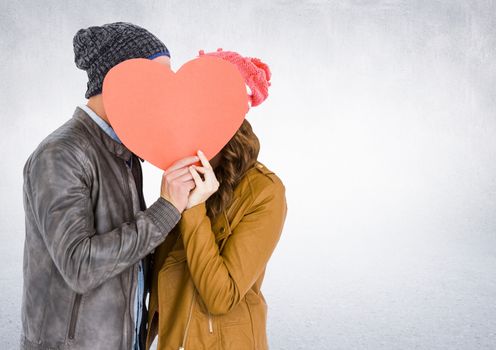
(88, 231)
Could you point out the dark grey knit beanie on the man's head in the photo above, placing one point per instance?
(97, 49)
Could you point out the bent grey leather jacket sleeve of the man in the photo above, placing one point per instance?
(59, 199)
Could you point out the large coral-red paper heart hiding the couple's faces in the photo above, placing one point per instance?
(163, 116)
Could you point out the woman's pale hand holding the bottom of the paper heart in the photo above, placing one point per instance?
(204, 188)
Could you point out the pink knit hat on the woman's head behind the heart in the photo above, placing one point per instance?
(255, 73)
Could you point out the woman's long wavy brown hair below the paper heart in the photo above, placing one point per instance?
(237, 157)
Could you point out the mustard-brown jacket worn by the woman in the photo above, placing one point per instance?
(207, 274)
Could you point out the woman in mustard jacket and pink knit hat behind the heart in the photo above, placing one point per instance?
(208, 273)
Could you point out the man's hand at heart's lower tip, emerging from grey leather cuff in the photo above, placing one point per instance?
(177, 182)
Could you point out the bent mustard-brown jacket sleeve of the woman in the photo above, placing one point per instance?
(222, 280)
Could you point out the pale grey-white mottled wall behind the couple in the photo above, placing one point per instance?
(380, 122)
